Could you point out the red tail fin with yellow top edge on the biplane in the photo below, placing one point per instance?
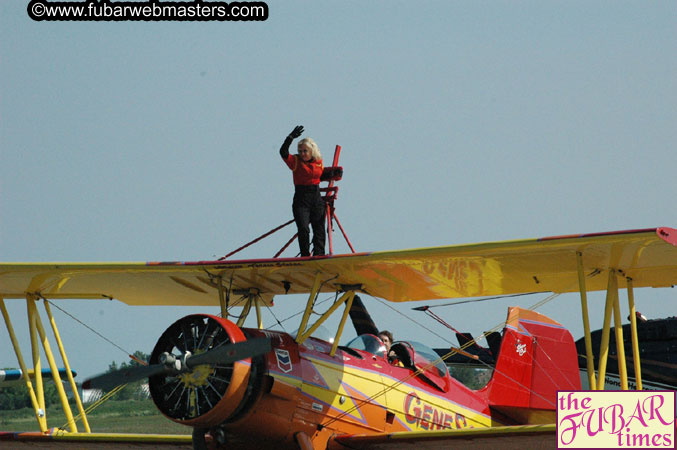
(537, 357)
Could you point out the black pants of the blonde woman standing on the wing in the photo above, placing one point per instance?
(309, 209)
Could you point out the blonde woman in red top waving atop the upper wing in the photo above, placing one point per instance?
(308, 205)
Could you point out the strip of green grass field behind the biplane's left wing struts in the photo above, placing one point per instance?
(130, 416)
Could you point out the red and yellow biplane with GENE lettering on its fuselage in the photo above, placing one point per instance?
(253, 387)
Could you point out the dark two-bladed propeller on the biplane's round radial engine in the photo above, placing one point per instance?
(172, 364)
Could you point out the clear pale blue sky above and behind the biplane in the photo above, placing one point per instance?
(460, 122)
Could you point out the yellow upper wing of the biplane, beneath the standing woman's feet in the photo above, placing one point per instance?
(649, 257)
